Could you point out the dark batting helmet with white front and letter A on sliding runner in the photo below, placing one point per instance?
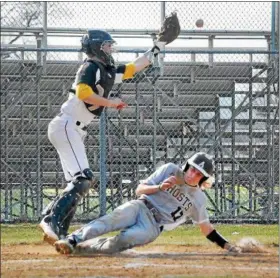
(203, 163)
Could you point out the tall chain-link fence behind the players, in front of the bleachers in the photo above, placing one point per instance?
(222, 102)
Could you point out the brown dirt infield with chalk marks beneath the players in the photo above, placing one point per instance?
(150, 261)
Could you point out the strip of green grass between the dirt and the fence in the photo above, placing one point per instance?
(184, 235)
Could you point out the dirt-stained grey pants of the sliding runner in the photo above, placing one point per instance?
(137, 223)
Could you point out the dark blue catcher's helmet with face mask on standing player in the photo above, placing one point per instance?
(93, 42)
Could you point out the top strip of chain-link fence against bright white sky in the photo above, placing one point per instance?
(138, 15)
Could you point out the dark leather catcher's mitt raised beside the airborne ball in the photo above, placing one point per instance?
(170, 29)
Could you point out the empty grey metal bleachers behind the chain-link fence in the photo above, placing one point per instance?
(136, 140)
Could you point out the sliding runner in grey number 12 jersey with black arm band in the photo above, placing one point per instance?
(166, 199)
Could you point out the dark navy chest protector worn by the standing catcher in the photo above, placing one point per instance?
(107, 80)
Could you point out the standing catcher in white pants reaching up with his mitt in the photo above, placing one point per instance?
(89, 94)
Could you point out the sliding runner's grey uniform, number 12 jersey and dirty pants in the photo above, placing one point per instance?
(140, 224)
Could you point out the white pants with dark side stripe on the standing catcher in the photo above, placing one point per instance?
(68, 139)
